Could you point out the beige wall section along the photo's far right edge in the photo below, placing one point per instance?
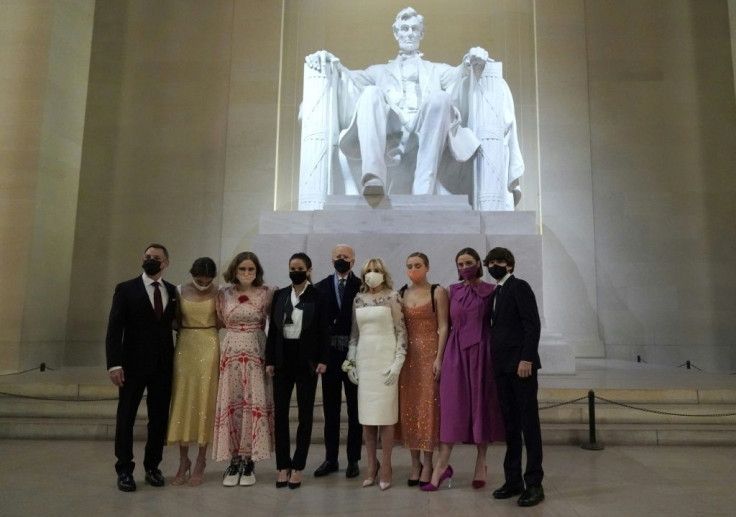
(663, 128)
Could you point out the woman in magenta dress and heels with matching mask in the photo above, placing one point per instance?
(469, 407)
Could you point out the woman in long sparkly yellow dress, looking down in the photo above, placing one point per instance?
(196, 370)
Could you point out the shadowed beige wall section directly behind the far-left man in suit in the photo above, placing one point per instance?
(155, 151)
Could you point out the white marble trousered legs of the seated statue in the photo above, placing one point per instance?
(431, 125)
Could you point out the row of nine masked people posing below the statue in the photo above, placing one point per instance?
(423, 365)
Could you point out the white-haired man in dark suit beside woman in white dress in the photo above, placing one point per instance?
(339, 289)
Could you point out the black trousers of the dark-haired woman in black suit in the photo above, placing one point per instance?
(293, 372)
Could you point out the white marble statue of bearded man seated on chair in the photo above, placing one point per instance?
(409, 126)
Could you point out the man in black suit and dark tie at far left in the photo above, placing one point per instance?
(140, 351)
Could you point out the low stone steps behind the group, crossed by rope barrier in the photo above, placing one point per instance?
(655, 416)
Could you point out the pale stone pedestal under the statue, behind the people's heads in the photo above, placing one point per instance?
(392, 227)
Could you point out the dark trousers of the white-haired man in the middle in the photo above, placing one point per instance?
(333, 382)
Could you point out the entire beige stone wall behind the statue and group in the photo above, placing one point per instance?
(177, 142)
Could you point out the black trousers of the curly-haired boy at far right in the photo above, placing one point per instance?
(518, 398)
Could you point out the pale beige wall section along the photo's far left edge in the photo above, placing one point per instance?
(44, 58)
